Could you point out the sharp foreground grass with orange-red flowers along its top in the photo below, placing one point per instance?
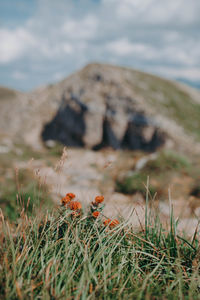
(78, 253)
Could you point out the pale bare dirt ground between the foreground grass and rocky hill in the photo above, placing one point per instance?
(89, 173)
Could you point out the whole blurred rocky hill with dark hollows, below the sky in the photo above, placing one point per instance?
(104, 105)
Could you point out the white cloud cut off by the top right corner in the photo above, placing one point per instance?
(155, 11)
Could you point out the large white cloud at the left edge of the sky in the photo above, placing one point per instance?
(70, 37)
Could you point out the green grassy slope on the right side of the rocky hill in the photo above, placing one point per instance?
(168, 99)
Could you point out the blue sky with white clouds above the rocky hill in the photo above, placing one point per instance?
(43, 41)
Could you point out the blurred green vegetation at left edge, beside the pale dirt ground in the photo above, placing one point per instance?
(20, 187)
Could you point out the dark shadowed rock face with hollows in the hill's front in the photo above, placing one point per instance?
(114, 123)
